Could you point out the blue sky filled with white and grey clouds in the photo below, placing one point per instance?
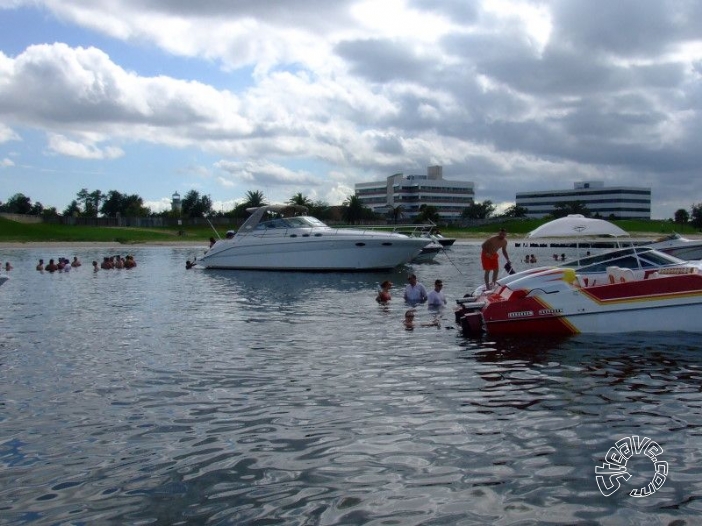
(152, 97)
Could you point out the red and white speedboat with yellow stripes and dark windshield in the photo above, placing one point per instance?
(630, 289)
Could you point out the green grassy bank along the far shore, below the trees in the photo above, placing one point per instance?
(11, 231)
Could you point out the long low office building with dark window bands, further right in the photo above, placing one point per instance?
(621, 202)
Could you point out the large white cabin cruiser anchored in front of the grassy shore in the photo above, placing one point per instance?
(275, 237)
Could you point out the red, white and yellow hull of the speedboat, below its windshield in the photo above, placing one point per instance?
(555, 302)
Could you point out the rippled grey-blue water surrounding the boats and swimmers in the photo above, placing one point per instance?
(169, 396)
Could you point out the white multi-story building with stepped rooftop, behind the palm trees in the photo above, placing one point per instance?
(410, 192)
